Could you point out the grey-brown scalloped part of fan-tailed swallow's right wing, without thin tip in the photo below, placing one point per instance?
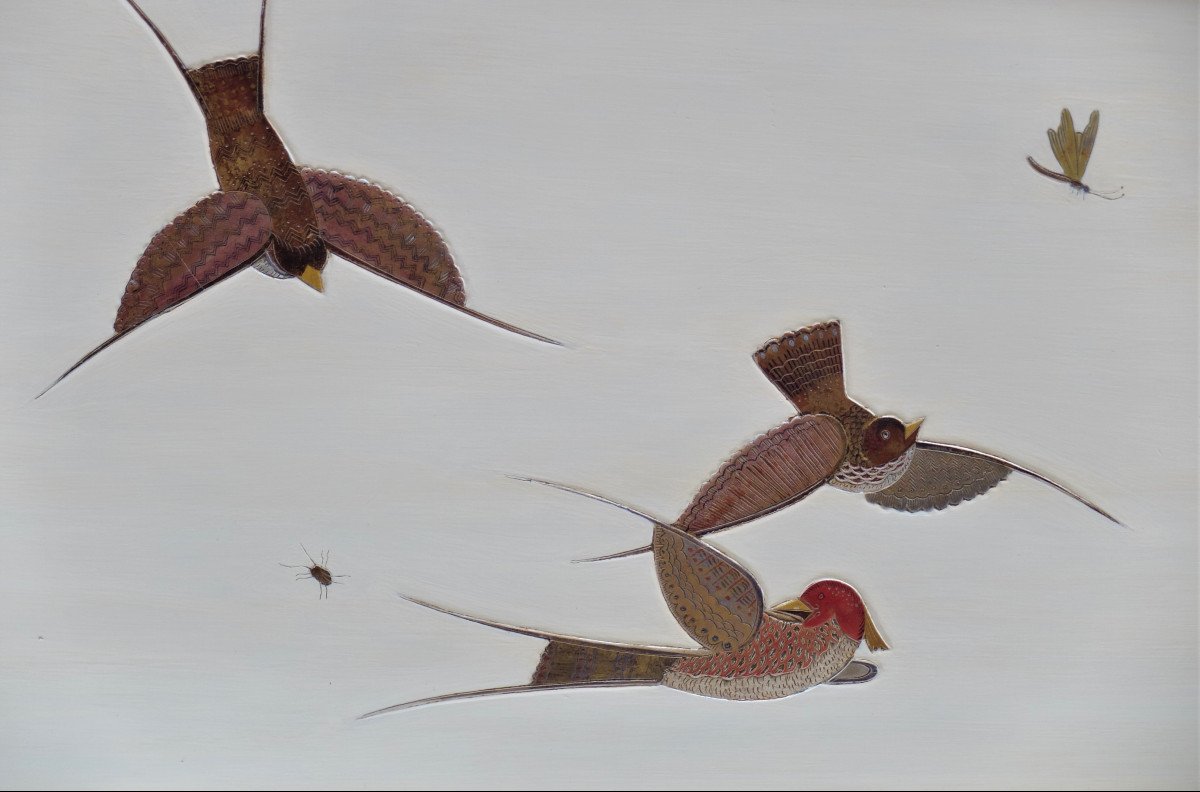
(938, 479)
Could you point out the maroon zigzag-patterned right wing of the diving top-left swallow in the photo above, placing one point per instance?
(379, 231)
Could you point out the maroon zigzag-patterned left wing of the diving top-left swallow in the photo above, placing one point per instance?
(214, 238)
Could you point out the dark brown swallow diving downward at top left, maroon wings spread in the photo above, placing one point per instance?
(278, 217)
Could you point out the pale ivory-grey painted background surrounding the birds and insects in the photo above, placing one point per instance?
(663, 189)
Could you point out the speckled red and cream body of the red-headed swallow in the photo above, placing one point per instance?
(784, 659)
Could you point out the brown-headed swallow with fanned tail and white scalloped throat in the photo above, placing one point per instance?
(833, 441)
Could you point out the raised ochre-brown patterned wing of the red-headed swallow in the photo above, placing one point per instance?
(712, 597)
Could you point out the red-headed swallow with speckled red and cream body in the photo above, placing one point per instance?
(748, 652)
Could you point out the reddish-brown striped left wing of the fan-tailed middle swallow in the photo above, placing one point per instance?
(773, 472)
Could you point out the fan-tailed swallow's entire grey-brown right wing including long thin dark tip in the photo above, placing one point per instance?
(946, 476)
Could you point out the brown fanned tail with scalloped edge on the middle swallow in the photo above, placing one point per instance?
(806, 365)
